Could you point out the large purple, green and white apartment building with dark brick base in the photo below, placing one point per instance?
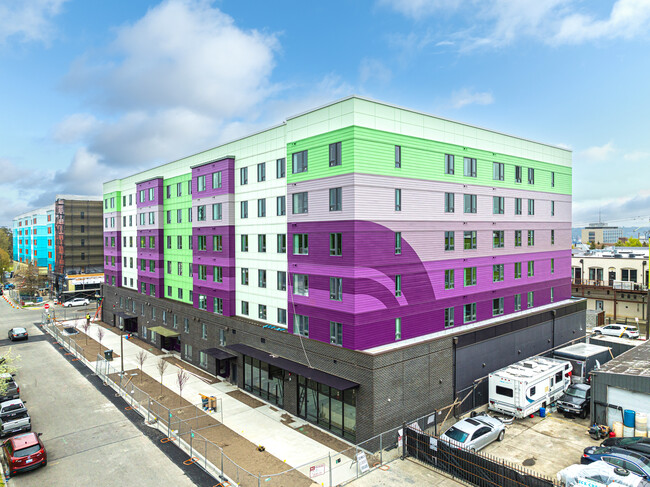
(357, 265)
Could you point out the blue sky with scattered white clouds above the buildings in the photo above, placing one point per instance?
(91, 90)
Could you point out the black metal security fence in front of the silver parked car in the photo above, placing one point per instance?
(475, 468)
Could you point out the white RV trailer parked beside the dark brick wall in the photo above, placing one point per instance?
(523, 388)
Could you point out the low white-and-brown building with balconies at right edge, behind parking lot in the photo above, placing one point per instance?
(614, 281)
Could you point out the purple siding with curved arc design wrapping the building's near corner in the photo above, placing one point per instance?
(368, 267)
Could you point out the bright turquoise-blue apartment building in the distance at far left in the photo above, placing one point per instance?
(33, 239)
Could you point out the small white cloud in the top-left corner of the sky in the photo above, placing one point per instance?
(28, 20)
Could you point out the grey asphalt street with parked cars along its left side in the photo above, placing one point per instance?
(90, 438)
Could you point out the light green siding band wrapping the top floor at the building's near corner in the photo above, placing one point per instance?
(369, 151)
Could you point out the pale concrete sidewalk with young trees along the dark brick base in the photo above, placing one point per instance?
(261, 425)
